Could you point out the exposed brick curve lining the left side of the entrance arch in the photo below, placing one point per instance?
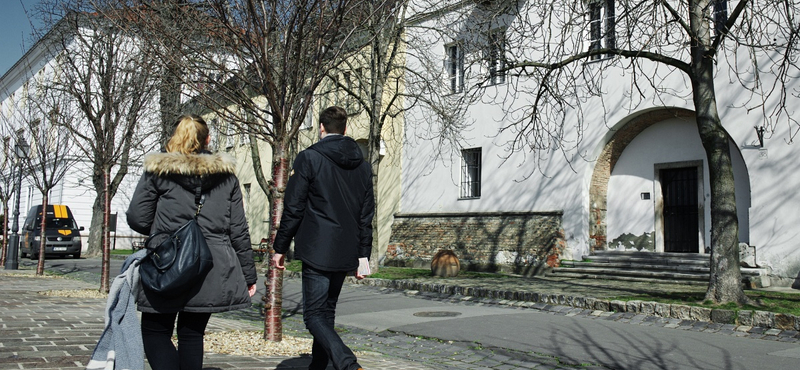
(598, 190)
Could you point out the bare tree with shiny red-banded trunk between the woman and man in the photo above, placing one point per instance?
(256, 65)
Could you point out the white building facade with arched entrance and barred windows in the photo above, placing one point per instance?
(624, 169)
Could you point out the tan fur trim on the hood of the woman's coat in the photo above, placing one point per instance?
(200, 164)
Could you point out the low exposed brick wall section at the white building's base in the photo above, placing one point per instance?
(522, 243)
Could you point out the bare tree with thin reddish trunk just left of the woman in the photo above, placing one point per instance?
(106, 76)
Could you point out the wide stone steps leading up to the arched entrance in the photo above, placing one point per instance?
(673, 268)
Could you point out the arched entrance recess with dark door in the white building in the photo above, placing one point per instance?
(648, 187)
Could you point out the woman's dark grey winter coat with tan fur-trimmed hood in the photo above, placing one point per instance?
(164, 200)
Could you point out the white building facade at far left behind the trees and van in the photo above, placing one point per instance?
(37, 68)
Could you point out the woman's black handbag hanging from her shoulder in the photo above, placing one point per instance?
(179, 261)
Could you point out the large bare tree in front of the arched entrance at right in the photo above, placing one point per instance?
(669, 49)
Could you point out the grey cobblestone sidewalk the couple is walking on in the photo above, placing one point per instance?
(48, 332)
